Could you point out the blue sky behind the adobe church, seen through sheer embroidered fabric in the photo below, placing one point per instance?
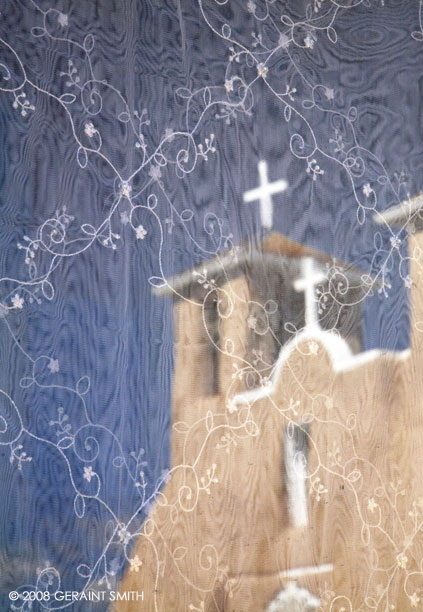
(129, 132)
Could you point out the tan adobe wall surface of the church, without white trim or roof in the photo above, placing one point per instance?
(220, 532)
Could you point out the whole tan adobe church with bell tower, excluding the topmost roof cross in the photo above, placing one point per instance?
(295, 479)
